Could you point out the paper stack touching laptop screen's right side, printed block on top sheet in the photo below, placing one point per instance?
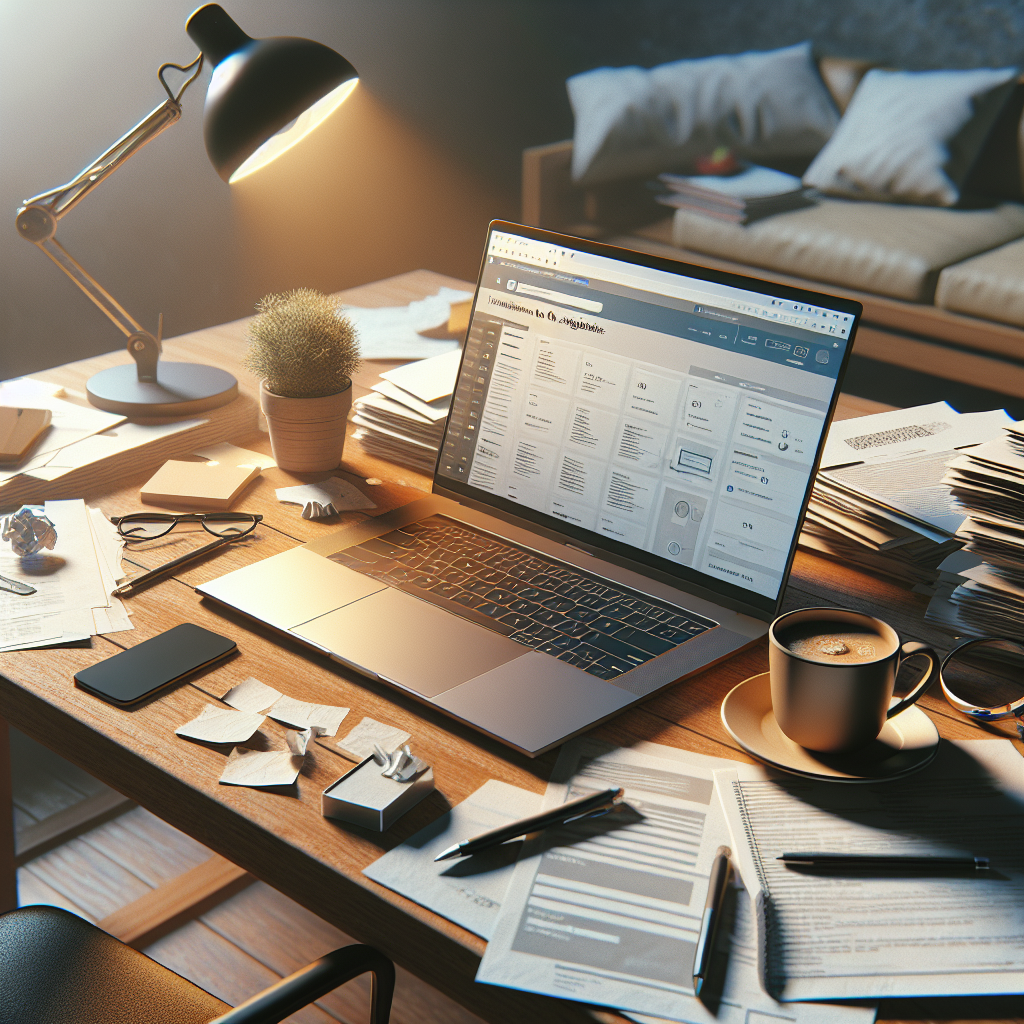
(880, 501)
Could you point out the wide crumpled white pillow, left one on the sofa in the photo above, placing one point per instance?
(764, 107)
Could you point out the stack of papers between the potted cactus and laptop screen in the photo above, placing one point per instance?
(403, 419)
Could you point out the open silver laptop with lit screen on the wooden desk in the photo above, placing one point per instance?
(625, 468)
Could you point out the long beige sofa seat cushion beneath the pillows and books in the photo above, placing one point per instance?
(882, 248)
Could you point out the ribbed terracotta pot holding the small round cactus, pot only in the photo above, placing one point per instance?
(308, 435)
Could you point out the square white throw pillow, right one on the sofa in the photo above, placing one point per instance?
(893, 141)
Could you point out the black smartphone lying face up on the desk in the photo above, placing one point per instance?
(135, 674)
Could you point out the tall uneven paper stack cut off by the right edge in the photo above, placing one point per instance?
(988, 483)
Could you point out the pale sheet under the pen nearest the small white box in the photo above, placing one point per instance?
(467, 891)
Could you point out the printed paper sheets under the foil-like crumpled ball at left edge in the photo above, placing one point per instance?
(73, 583)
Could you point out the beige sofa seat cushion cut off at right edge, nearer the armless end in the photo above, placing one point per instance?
(991, 286)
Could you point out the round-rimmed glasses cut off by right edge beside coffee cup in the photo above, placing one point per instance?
(985, 679)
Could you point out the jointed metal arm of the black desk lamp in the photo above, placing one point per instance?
(37, 221)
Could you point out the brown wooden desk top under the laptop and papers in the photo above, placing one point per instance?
(284, 840)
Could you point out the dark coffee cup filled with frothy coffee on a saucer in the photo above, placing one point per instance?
(833, 674)
